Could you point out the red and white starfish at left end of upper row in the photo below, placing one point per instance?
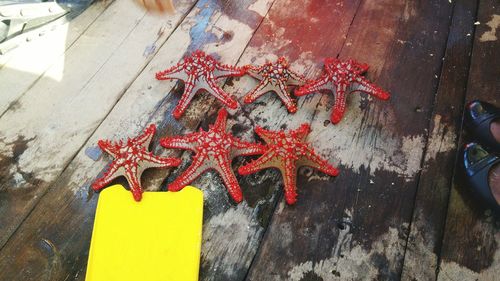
(200, 71)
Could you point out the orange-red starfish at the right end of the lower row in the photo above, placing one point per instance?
(287, 152)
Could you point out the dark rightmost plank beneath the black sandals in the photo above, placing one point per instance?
(470, 249)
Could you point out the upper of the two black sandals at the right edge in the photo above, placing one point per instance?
(478, 118)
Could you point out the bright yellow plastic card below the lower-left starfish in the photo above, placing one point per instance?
(158, 238)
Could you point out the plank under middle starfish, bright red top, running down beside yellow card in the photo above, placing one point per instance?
(244, 225)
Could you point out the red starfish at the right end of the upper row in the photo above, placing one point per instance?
(338, 76)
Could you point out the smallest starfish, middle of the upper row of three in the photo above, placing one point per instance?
(275, 78)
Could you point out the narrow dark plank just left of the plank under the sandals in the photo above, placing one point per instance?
(429, 215)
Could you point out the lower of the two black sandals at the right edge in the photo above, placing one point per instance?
(478, 163)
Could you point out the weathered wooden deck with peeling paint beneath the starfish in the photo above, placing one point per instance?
(399, 209)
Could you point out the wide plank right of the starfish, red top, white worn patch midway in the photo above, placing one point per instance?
(354, 227)
